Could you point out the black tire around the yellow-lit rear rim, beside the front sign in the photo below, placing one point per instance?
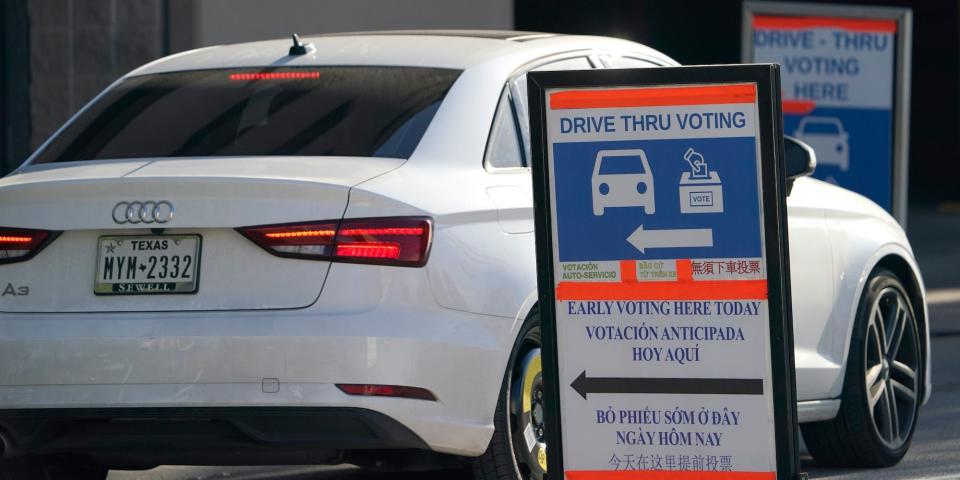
(505, 458)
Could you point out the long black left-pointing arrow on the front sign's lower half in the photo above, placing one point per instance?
(679, 386)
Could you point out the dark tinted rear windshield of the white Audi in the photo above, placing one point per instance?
(321, 111)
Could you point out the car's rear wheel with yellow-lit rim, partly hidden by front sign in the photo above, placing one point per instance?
(517, 450)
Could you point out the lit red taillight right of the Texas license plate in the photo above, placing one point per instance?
(402, 241)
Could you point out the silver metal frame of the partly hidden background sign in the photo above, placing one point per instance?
(902, 67)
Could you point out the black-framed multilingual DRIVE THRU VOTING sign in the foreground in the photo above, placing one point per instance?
(663, 273)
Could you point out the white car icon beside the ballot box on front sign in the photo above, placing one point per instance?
(622, 178)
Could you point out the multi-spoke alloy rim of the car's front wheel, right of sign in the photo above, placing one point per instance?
(892, 367)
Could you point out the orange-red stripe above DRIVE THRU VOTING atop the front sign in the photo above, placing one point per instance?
(654, 97)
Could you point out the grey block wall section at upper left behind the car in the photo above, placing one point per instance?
(78, 47)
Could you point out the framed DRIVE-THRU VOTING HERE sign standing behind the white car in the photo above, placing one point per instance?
(845, 73)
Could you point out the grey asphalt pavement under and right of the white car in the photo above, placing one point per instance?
(934, 455)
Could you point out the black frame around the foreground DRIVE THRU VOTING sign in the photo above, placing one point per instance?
(766, 77)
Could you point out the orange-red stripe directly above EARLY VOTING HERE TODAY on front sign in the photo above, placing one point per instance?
(692, 290)
